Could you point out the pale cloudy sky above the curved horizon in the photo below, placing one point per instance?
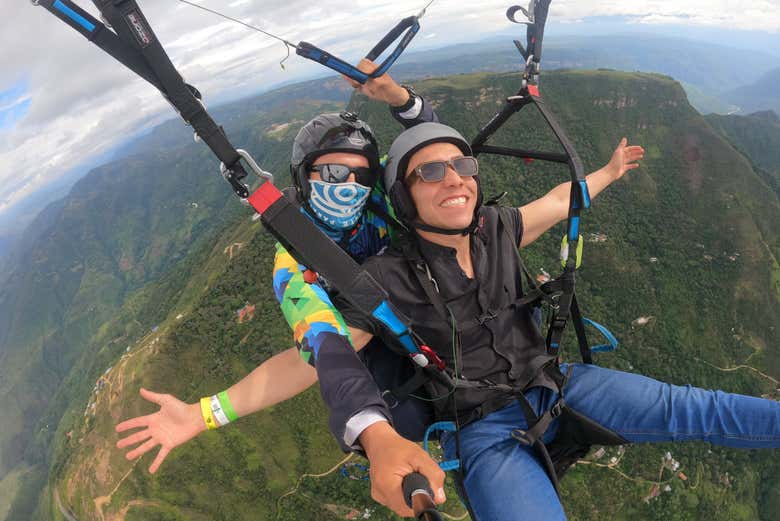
(63, 101)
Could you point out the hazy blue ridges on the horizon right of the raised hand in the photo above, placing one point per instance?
(704, 69)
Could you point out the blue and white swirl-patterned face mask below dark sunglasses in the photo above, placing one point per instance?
(338, 205)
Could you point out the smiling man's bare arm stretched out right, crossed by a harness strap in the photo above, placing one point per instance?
(547, 211)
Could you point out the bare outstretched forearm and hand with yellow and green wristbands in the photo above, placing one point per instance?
(277, 379)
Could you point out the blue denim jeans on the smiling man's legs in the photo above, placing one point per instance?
(506, 482)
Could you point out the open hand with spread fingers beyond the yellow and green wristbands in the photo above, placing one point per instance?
(174, 424)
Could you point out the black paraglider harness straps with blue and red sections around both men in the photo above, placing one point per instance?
(133, 43)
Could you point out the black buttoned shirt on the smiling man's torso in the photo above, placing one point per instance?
(498, 337)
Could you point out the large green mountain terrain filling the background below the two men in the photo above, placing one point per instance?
(680, 263)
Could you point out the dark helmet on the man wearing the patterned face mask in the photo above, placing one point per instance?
(328, 133)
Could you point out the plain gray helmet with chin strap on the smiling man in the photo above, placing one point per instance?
(401, 151)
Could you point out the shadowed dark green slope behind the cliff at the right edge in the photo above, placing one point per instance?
(757, 136)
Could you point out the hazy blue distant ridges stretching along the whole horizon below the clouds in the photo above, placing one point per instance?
(704, 69)
